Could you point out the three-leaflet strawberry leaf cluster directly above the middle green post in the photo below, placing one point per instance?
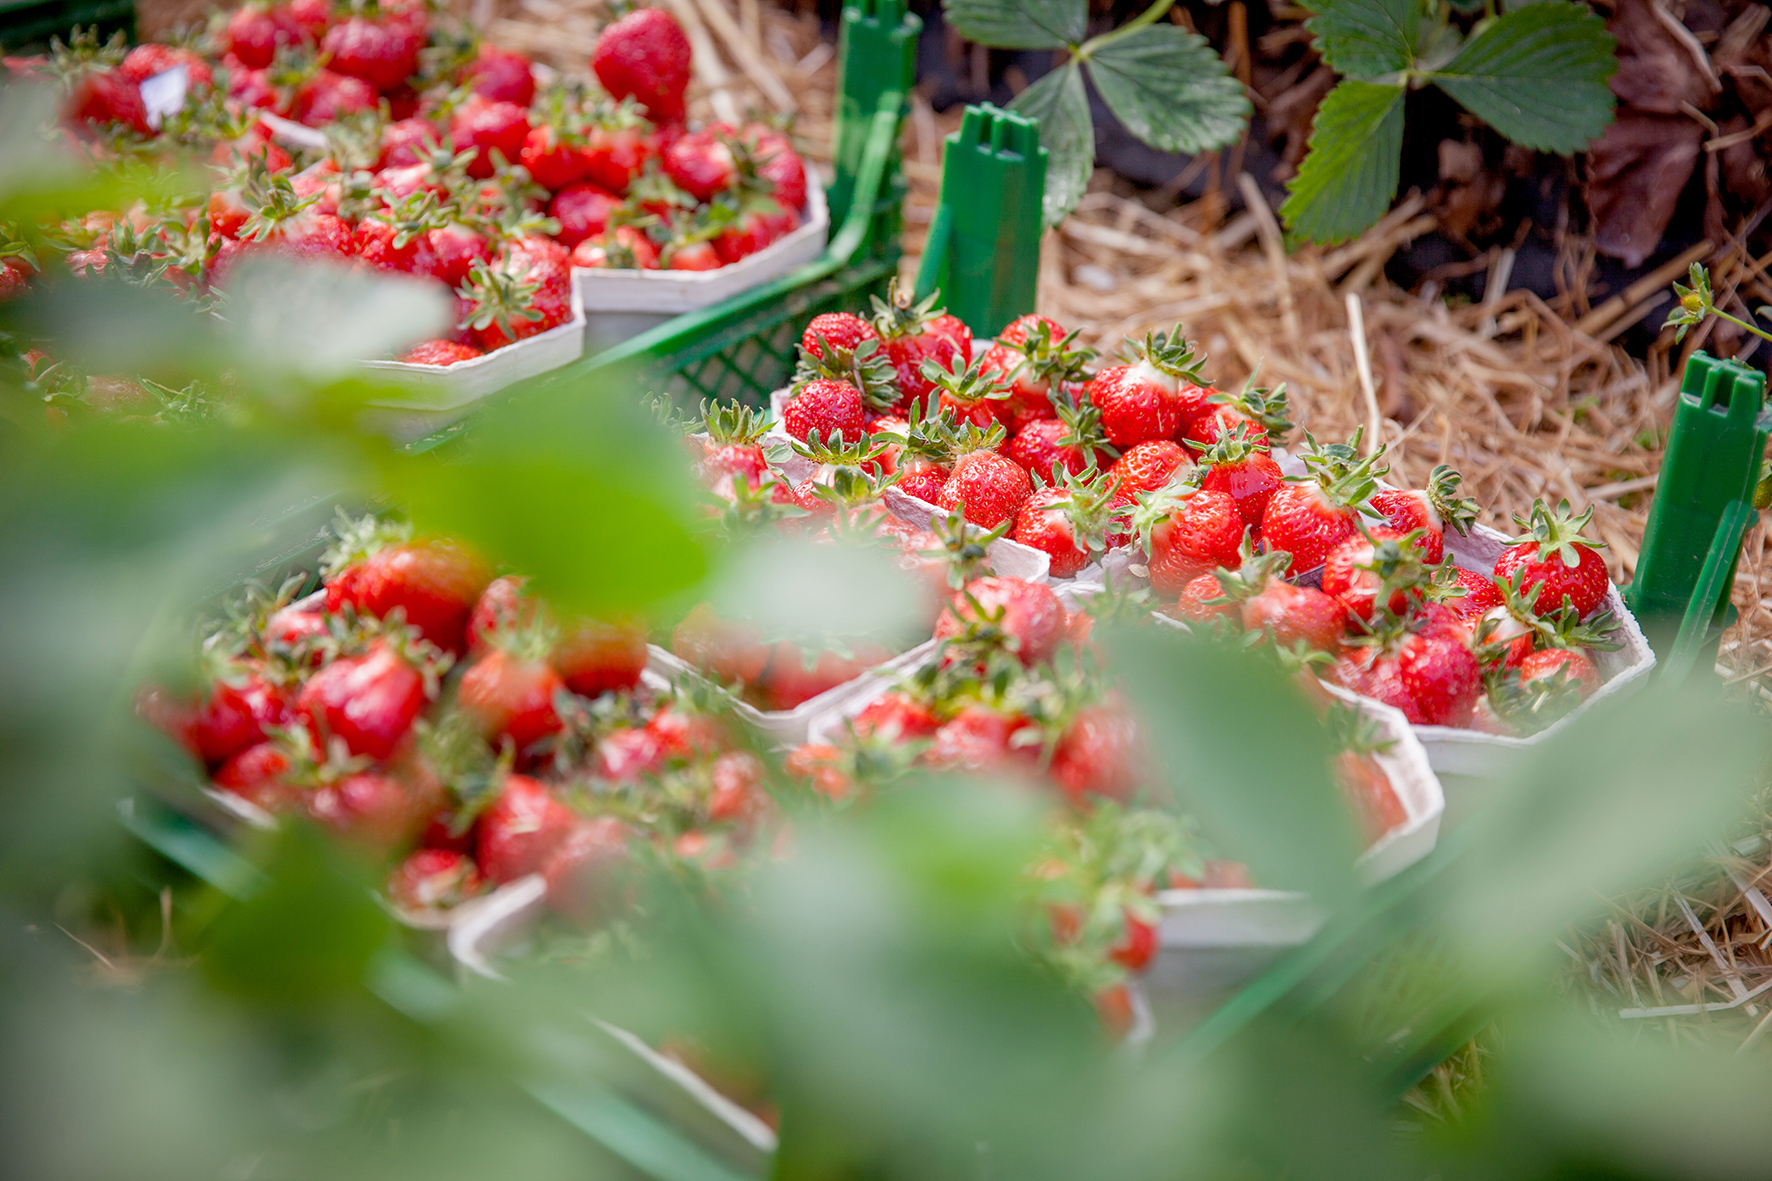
(1163, 82)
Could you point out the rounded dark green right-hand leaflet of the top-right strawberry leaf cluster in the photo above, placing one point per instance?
(1539, 77)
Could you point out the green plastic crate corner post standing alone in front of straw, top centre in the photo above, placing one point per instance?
(984, 242)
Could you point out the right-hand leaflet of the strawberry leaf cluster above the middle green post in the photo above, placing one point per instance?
(1170, 90)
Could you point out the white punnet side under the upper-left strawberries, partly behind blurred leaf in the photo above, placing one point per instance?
(442, 395)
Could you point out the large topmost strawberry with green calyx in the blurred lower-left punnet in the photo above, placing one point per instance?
(378, 570)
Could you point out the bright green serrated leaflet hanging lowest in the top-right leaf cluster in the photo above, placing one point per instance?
(1349, 178)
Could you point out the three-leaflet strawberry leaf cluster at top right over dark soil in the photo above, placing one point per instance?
(1535, 74)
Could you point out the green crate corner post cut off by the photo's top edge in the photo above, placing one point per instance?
(876, 58)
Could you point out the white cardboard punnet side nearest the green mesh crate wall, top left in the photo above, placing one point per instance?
(621, 304)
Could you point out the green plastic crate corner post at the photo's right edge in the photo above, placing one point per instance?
(1713, 462)
